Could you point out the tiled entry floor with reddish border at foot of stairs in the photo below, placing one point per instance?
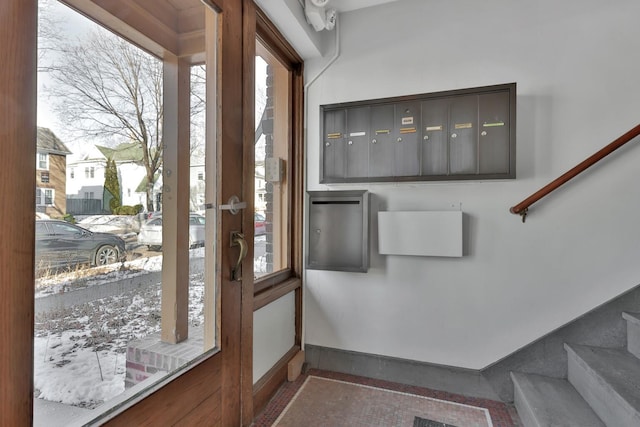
(323, 398)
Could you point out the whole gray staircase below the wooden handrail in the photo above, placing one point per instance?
(602, 388)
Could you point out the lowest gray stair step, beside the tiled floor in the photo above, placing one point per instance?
(553, 402)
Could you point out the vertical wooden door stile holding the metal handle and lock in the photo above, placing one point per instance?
(231, 94)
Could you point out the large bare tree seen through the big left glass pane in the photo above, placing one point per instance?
(104, 87)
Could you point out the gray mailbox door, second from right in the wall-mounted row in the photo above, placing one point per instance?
(463, 120)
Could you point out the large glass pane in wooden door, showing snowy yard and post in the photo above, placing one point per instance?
(127, 313)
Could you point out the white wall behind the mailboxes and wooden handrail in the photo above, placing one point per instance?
(576, 64)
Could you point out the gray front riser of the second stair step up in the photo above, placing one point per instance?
(602, 399)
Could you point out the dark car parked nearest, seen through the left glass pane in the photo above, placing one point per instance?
(62, 244)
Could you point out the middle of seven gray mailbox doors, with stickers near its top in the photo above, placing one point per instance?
(407, 146)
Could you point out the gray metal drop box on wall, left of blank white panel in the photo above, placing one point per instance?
(338, 230)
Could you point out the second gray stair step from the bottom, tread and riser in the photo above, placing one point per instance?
(609, 380)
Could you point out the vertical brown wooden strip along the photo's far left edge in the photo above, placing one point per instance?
(18, 23)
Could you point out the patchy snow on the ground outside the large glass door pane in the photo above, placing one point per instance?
(80, 352)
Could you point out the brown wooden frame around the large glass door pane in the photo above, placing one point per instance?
(212, 391)
